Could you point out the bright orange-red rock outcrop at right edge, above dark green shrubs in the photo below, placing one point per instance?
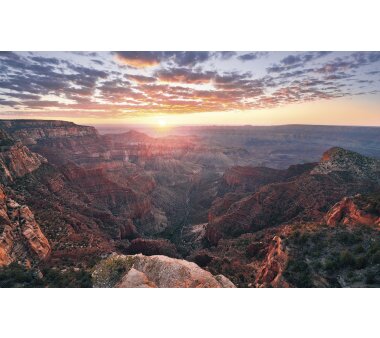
(349, 212)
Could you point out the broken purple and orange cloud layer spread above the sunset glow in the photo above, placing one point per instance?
(179, 82)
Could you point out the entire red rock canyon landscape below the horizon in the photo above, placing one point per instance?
(191, 206)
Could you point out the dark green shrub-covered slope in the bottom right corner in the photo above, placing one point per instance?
(336, 256)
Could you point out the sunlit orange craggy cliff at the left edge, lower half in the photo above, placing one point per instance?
(21, 238)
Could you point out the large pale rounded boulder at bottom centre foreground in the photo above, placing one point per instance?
(141, 271)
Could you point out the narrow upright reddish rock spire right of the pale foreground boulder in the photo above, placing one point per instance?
(271, 272)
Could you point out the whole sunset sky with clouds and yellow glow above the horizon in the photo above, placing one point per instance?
(192, 88)
